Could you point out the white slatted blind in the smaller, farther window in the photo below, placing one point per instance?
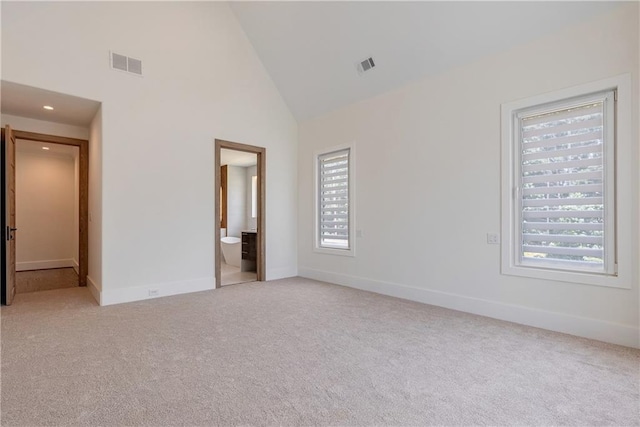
(333, 199)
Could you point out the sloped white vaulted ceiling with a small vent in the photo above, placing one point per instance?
(311, 49)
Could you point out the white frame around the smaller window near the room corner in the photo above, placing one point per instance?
(317, 247)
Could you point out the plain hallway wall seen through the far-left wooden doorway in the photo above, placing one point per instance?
(45, 190)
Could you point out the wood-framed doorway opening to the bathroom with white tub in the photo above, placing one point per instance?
(239, 213)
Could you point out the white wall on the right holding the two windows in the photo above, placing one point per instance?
(428, 186)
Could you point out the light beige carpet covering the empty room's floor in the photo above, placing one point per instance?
(298, 352)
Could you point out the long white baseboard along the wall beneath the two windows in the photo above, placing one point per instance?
(600, 330)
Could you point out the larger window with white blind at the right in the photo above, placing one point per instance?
(559, 219)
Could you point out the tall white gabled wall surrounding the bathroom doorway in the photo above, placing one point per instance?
(202, 81)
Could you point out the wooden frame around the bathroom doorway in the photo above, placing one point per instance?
(261, 220)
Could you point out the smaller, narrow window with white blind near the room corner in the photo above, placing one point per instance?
(334, 201)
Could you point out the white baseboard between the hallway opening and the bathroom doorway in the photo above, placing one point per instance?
(138, 293)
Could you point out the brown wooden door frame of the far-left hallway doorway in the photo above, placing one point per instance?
(83, 226)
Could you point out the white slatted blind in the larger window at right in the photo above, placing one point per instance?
(565, 194)
